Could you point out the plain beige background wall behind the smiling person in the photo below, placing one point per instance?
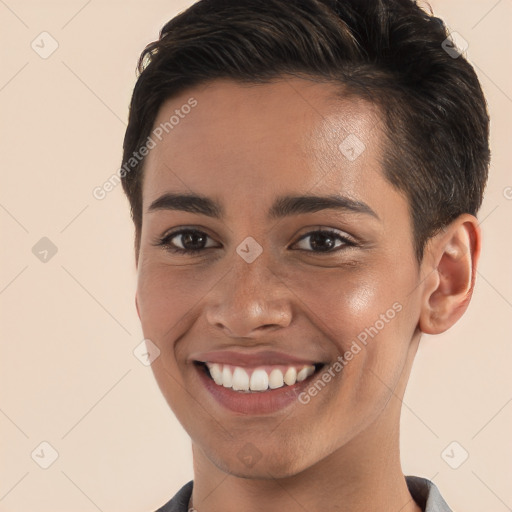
(68, 375)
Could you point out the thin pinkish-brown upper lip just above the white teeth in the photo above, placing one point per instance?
(261, 358)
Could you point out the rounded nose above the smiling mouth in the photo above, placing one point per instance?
(249, 301)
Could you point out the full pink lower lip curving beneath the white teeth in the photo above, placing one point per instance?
(260, 402)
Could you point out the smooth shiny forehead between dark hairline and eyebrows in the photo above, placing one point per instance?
(287, 135)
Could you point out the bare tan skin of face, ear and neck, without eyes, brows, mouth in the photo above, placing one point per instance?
(244, 145)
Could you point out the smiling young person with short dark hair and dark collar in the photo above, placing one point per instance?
(304, 177)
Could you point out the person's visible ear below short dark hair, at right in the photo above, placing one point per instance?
(450, 264)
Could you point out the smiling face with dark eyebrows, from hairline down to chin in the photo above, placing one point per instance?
(276, 277)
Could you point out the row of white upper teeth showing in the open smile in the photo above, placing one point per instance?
(238, 378)
